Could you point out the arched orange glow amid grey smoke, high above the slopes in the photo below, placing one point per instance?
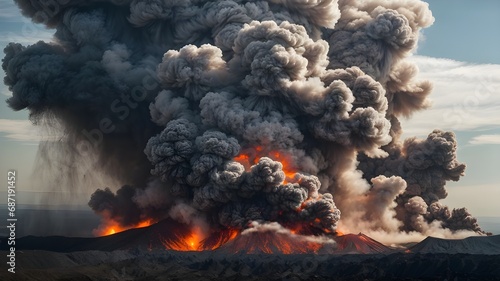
(249, 157)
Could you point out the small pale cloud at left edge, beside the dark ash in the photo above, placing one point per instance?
(24, 131)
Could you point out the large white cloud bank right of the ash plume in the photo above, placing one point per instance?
(465, 96)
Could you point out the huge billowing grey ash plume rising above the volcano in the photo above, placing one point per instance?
(223, 113)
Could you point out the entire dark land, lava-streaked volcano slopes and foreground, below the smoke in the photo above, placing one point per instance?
(262, 252)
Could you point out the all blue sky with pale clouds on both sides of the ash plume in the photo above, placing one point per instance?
(459, 54)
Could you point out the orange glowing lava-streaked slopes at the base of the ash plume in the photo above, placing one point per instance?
(270, 238)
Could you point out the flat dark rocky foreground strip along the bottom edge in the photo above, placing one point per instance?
(171, 265)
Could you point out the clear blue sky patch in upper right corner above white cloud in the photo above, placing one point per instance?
(464, 30)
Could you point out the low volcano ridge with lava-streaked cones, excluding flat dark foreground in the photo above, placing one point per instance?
(171, 235)
